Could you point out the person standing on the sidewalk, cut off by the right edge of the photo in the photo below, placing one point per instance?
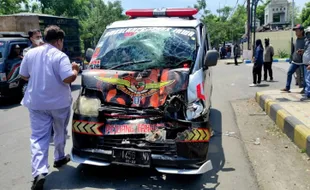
(306, 61)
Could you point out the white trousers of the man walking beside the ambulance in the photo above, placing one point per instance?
(42, 122)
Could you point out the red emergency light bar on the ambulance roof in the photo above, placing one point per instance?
(171, 12)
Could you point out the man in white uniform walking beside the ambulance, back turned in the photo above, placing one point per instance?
(48, 99)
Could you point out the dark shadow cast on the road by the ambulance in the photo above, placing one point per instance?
(114, 177)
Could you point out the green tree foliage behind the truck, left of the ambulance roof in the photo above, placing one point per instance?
(93, 15)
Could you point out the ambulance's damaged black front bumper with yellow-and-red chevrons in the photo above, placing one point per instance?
(179, 149)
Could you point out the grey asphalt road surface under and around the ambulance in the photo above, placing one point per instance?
(232, 169)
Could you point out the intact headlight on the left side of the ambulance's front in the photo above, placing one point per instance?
(87, 106)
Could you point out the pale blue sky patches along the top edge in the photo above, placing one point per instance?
(211, 4)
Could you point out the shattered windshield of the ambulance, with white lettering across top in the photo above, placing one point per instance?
(145, 48)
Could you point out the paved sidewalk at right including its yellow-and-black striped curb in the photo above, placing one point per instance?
(290, 114)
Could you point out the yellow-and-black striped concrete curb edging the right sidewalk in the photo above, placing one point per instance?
(297, 131)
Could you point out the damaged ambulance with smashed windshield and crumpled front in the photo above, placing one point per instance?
(145, 99)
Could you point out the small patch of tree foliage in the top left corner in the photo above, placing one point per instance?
(11, 6)
